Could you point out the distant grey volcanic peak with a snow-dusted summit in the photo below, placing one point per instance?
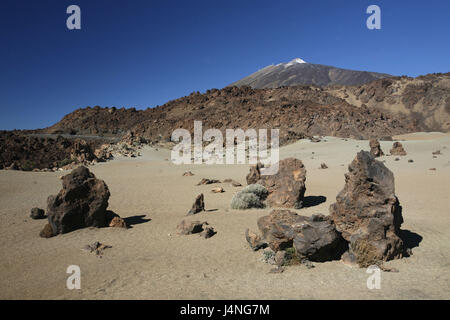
(297, 72)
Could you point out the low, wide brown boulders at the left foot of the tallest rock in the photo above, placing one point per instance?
(314, 238)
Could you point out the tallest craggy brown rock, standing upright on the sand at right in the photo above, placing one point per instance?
(367, 212)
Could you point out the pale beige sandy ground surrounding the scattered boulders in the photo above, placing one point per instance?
(150, 261)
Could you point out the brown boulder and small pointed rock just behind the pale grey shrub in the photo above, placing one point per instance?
(287, 187)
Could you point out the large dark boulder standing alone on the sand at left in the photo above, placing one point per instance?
(81, 203)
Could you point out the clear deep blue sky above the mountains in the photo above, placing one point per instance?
(143, 53)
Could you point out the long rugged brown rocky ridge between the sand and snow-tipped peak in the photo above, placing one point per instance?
(381, 108)
